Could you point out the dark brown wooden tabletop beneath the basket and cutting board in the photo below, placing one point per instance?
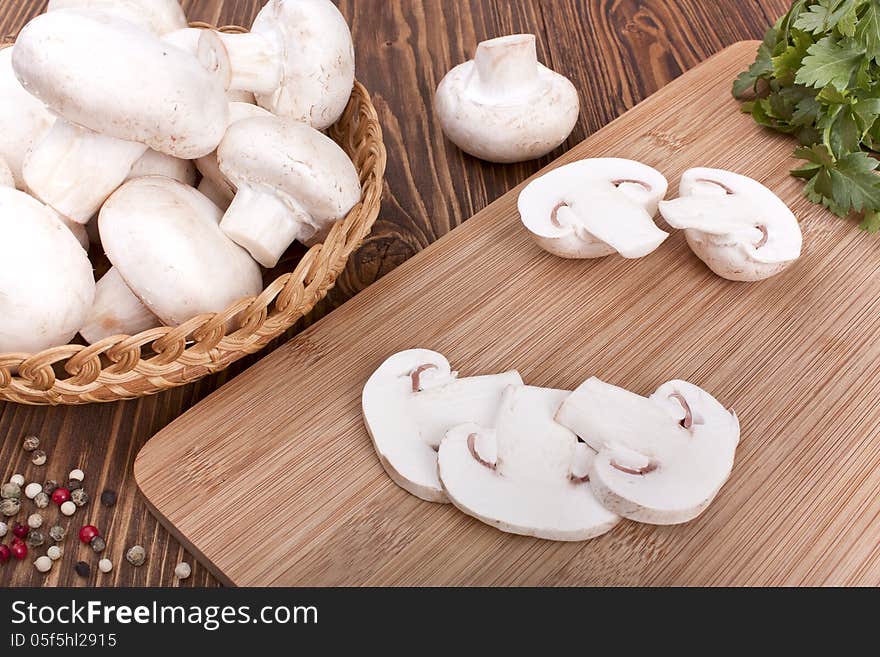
(616, 52)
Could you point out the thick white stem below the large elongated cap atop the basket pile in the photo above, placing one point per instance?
(74, 170)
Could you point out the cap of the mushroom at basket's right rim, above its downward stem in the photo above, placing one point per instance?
(300, 165)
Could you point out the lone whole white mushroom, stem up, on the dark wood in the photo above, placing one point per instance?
(503, 106)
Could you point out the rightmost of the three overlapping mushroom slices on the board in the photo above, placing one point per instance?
(661, 459)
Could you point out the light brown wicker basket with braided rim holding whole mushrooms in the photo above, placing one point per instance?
(124, 367)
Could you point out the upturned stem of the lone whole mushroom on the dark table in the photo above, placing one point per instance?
(507, 65)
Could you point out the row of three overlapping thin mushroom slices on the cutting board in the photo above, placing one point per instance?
(554, 464)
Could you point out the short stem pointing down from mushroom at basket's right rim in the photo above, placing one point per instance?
(264, 224)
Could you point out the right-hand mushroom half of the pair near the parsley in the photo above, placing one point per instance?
(738, 227)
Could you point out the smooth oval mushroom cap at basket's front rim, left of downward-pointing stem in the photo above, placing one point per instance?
(165, 240)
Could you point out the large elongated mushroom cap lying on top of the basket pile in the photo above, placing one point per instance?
(147, 91)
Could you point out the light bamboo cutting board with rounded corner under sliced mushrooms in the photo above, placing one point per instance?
(273, 480)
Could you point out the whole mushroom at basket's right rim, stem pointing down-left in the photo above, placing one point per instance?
(293, 183)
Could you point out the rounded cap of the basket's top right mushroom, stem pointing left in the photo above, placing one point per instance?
(318, 65)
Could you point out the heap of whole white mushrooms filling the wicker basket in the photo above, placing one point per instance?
(194, 158)
